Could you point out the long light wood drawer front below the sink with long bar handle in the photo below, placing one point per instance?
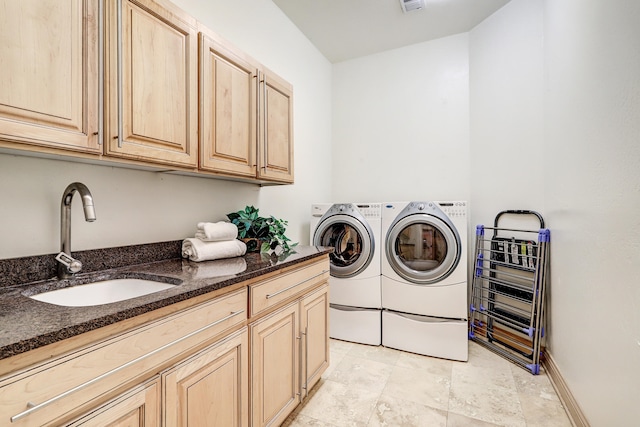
(59, 388)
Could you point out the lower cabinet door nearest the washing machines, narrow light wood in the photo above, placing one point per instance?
(314, 318)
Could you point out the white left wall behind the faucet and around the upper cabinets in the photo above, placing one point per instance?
(136, 207)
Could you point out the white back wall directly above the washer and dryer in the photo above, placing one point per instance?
(400, 124)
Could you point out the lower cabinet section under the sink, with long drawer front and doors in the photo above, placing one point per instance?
(160, 373)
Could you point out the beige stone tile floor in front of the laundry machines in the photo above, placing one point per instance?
(368, 386)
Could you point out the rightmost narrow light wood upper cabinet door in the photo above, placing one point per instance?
(275, 145)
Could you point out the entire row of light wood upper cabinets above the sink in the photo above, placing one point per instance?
(130, 81)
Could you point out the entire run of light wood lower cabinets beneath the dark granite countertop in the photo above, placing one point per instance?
(208, 364)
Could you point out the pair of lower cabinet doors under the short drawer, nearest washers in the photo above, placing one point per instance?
(289, 353)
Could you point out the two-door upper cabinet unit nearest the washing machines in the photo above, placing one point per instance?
(246, 123)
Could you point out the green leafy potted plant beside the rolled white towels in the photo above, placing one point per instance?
(262, 234)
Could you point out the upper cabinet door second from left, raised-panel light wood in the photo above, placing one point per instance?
(152, 77)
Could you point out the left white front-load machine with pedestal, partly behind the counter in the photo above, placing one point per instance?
(354, 232)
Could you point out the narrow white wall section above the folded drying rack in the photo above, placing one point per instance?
(506, 102)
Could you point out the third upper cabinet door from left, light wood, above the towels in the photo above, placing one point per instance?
(228, 115)
